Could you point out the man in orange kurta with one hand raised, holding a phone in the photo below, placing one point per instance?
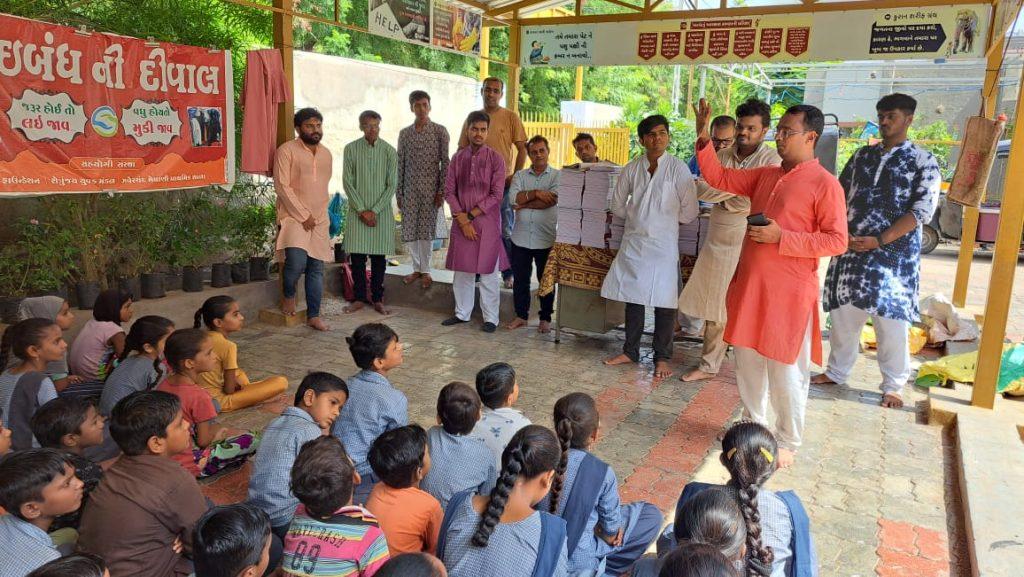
(773, 303)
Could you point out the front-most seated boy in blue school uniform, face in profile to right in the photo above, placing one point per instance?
(374, 405)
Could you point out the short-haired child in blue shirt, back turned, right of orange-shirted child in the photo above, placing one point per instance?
(458, 462)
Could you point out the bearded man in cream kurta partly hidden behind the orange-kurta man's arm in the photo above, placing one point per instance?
(704, 296)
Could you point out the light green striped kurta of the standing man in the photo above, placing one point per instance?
(370, 178)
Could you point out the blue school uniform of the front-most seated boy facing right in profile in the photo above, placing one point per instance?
(374, 407)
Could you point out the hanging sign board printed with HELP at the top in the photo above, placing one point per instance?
(428, 23)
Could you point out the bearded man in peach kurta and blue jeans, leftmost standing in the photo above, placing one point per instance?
(302, 174)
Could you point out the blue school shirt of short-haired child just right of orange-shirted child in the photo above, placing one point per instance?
(458, 463)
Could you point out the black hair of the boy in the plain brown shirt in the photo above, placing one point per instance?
(143, 416)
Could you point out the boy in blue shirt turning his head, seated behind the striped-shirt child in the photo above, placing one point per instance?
(318, 403)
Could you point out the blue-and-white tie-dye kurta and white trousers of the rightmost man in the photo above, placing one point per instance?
(882, 284)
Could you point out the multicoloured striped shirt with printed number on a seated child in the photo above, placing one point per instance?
(351, 543)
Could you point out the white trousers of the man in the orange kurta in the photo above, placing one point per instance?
(761, 380)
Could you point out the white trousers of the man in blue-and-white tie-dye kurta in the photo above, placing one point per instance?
(893, 347)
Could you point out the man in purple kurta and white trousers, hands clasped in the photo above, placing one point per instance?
(474, 189)
